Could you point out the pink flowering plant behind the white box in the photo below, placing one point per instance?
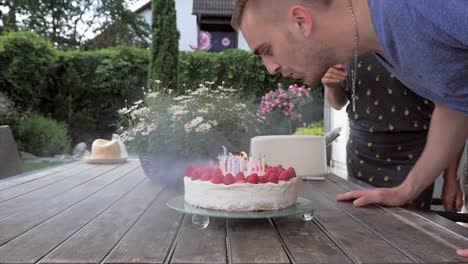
(285, 105)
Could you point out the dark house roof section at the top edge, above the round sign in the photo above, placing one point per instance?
(213, 7)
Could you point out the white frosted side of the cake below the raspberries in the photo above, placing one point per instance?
(241, 197)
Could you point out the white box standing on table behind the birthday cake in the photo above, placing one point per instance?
(307, 154)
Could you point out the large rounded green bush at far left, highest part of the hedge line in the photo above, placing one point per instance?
(27, 62)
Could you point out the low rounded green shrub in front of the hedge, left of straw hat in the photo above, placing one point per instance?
(43, 136)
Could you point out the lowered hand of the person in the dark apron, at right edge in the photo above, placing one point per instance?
(452, 196)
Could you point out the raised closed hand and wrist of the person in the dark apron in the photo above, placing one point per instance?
(332, 80)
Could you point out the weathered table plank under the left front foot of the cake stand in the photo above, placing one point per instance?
(195, 245)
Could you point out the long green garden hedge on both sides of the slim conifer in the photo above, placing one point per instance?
(85, 88)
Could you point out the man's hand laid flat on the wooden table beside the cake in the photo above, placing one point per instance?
(386, 196)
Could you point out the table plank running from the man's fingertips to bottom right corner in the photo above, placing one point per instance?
(415, 241)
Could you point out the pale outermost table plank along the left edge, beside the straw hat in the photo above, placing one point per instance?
(30, 186)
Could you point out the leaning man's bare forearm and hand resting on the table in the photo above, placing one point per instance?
(446, 138)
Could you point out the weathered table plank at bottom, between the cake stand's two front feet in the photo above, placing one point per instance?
(255, 241)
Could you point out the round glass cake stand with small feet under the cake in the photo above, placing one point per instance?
(201, 216)
